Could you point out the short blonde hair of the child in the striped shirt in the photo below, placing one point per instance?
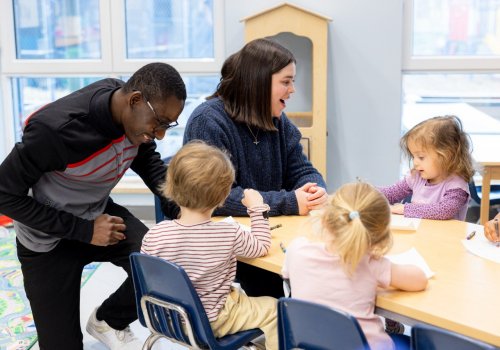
(199, 176)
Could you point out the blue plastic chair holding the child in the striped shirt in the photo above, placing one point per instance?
(168, 305)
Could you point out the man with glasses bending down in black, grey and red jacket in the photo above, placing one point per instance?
(56, 182)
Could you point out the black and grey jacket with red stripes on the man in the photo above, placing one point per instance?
(71, 156)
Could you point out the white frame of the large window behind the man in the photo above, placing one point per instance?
(113, 61)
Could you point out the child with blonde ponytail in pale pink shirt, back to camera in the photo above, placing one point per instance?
(346, 266)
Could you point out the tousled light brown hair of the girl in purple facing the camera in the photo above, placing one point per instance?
(447, 138)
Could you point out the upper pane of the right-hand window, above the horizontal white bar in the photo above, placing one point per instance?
(452, 35)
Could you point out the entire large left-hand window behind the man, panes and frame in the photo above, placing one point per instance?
(53, 47)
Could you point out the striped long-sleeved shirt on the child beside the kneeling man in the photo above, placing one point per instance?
(207, 251)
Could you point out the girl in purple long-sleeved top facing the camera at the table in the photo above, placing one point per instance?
(442, 169)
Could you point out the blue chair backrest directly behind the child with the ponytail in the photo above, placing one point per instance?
(307, 325)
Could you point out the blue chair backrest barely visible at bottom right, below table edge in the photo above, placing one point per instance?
(425, 337)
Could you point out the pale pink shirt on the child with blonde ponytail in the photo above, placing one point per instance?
(318, 276)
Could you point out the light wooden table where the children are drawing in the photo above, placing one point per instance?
(463, 296)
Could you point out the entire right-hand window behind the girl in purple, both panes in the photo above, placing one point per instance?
(451, 65)
